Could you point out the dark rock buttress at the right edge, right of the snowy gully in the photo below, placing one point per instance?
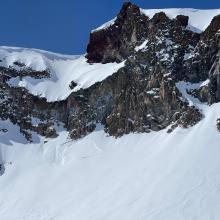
(204, 63)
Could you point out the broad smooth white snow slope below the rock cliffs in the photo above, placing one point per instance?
(154, 176)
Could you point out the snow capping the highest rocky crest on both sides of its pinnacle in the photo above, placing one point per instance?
(199, 19)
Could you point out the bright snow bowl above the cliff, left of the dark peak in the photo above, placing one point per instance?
(63, 70)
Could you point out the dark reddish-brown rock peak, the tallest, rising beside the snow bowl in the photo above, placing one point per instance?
(116, 43)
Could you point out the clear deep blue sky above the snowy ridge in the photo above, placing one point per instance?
(64, 25)
